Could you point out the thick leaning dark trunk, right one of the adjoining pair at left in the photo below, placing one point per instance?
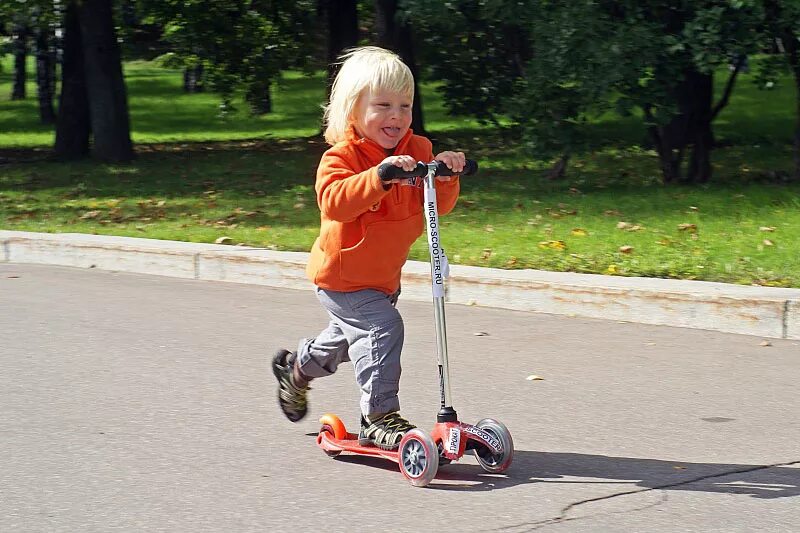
(105, 85)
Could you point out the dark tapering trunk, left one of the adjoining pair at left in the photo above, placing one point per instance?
(73, 126)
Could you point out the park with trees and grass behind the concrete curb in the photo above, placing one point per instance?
(650, 138)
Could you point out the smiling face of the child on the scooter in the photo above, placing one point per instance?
(384, 117)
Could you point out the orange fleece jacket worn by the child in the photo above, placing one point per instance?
(367, 231)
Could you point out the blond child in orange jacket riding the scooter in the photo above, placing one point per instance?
(367, 228)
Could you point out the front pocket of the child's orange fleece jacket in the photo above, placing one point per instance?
(379, 256)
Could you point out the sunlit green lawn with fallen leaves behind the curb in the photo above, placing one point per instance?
(198, 178)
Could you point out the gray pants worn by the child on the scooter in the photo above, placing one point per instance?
(365, 328)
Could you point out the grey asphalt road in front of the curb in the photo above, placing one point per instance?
(136, 403)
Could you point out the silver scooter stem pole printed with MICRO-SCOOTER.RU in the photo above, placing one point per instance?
(446, 413)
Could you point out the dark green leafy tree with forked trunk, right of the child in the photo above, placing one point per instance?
(548, 65)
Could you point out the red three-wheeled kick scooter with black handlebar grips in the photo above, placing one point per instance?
(419, 454)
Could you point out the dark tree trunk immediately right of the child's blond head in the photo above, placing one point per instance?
(396, 36)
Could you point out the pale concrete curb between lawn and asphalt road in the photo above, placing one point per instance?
(761, 311)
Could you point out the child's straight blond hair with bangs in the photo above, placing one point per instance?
(368, 67)
